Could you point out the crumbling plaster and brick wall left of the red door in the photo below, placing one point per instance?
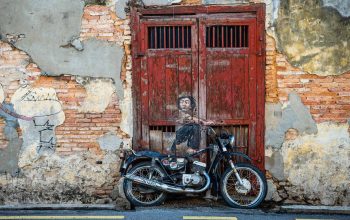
(68, 68)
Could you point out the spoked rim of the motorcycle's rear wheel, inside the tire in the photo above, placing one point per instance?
(144, 194)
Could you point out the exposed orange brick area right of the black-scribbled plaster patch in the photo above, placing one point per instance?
(80, 131)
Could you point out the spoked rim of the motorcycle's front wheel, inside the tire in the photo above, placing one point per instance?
(249, 193)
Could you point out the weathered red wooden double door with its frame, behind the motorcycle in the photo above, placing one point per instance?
(216, 58)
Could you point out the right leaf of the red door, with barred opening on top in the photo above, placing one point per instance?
(228, 90)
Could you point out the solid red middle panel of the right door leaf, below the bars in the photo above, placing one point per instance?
(227, 83)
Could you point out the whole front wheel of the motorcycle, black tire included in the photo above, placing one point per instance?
(244, 197)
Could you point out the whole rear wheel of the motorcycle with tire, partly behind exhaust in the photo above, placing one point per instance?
(140, 195)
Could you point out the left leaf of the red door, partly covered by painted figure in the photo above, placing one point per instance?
(170, 69)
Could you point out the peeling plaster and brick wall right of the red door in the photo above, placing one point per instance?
(306, 53)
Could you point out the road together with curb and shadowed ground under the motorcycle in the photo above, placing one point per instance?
(175, 209)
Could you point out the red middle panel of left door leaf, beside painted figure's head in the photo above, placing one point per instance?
(169, 76)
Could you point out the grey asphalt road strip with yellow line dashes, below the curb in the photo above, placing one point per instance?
(160, 213)
